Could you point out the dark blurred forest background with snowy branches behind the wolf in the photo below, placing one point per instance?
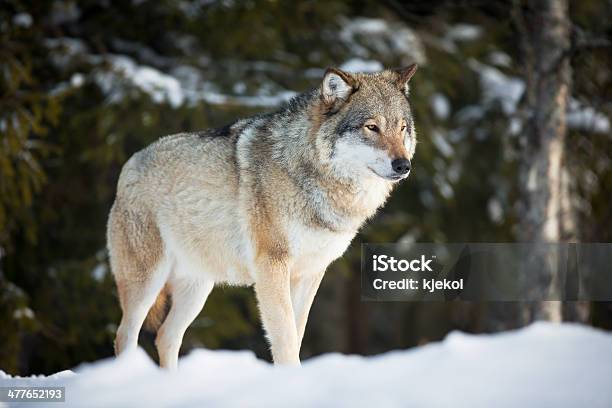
(512, 104)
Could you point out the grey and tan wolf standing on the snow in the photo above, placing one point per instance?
(268, 201)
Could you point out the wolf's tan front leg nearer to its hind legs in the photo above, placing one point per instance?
(272, 288)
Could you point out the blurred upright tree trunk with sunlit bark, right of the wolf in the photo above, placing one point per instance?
(546, 202)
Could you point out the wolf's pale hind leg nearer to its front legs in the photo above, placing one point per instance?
(188, 298)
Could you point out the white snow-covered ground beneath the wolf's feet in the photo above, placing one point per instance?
(543, 365)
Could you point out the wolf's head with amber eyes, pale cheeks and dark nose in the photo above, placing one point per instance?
(366, 127)
